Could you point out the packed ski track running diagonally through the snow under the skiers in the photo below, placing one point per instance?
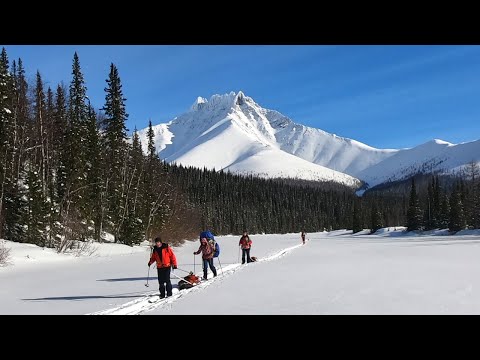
(139, 306)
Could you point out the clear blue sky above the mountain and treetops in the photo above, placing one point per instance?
(384, 96)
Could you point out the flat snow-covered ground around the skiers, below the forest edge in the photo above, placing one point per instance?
(333, 273)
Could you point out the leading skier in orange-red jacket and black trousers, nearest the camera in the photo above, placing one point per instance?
(163, 255)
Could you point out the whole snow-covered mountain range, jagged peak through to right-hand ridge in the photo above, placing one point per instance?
(232, 132)
